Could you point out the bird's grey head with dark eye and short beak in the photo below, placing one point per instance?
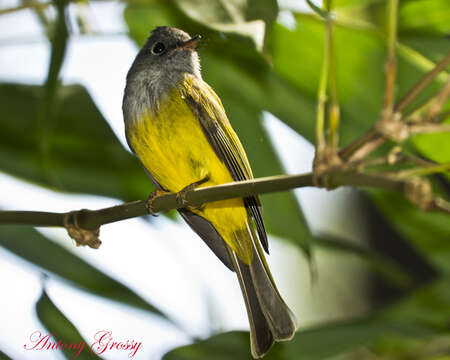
(161, 64)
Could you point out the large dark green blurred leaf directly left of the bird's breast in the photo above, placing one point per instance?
(84, 155)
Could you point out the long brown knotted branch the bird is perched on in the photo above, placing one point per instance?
(83, 225)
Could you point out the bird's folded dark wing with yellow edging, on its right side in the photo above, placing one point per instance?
(208, 109)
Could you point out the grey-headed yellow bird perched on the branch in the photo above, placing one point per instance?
(177, 127)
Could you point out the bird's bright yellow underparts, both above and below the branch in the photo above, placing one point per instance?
(173, 148)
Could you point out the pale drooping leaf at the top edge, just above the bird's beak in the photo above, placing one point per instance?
(248, 18)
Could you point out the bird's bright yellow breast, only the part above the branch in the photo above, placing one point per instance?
(171, 145)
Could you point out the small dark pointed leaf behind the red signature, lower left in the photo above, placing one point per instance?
(61, 329)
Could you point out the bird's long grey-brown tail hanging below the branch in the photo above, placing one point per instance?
(269, 317)
